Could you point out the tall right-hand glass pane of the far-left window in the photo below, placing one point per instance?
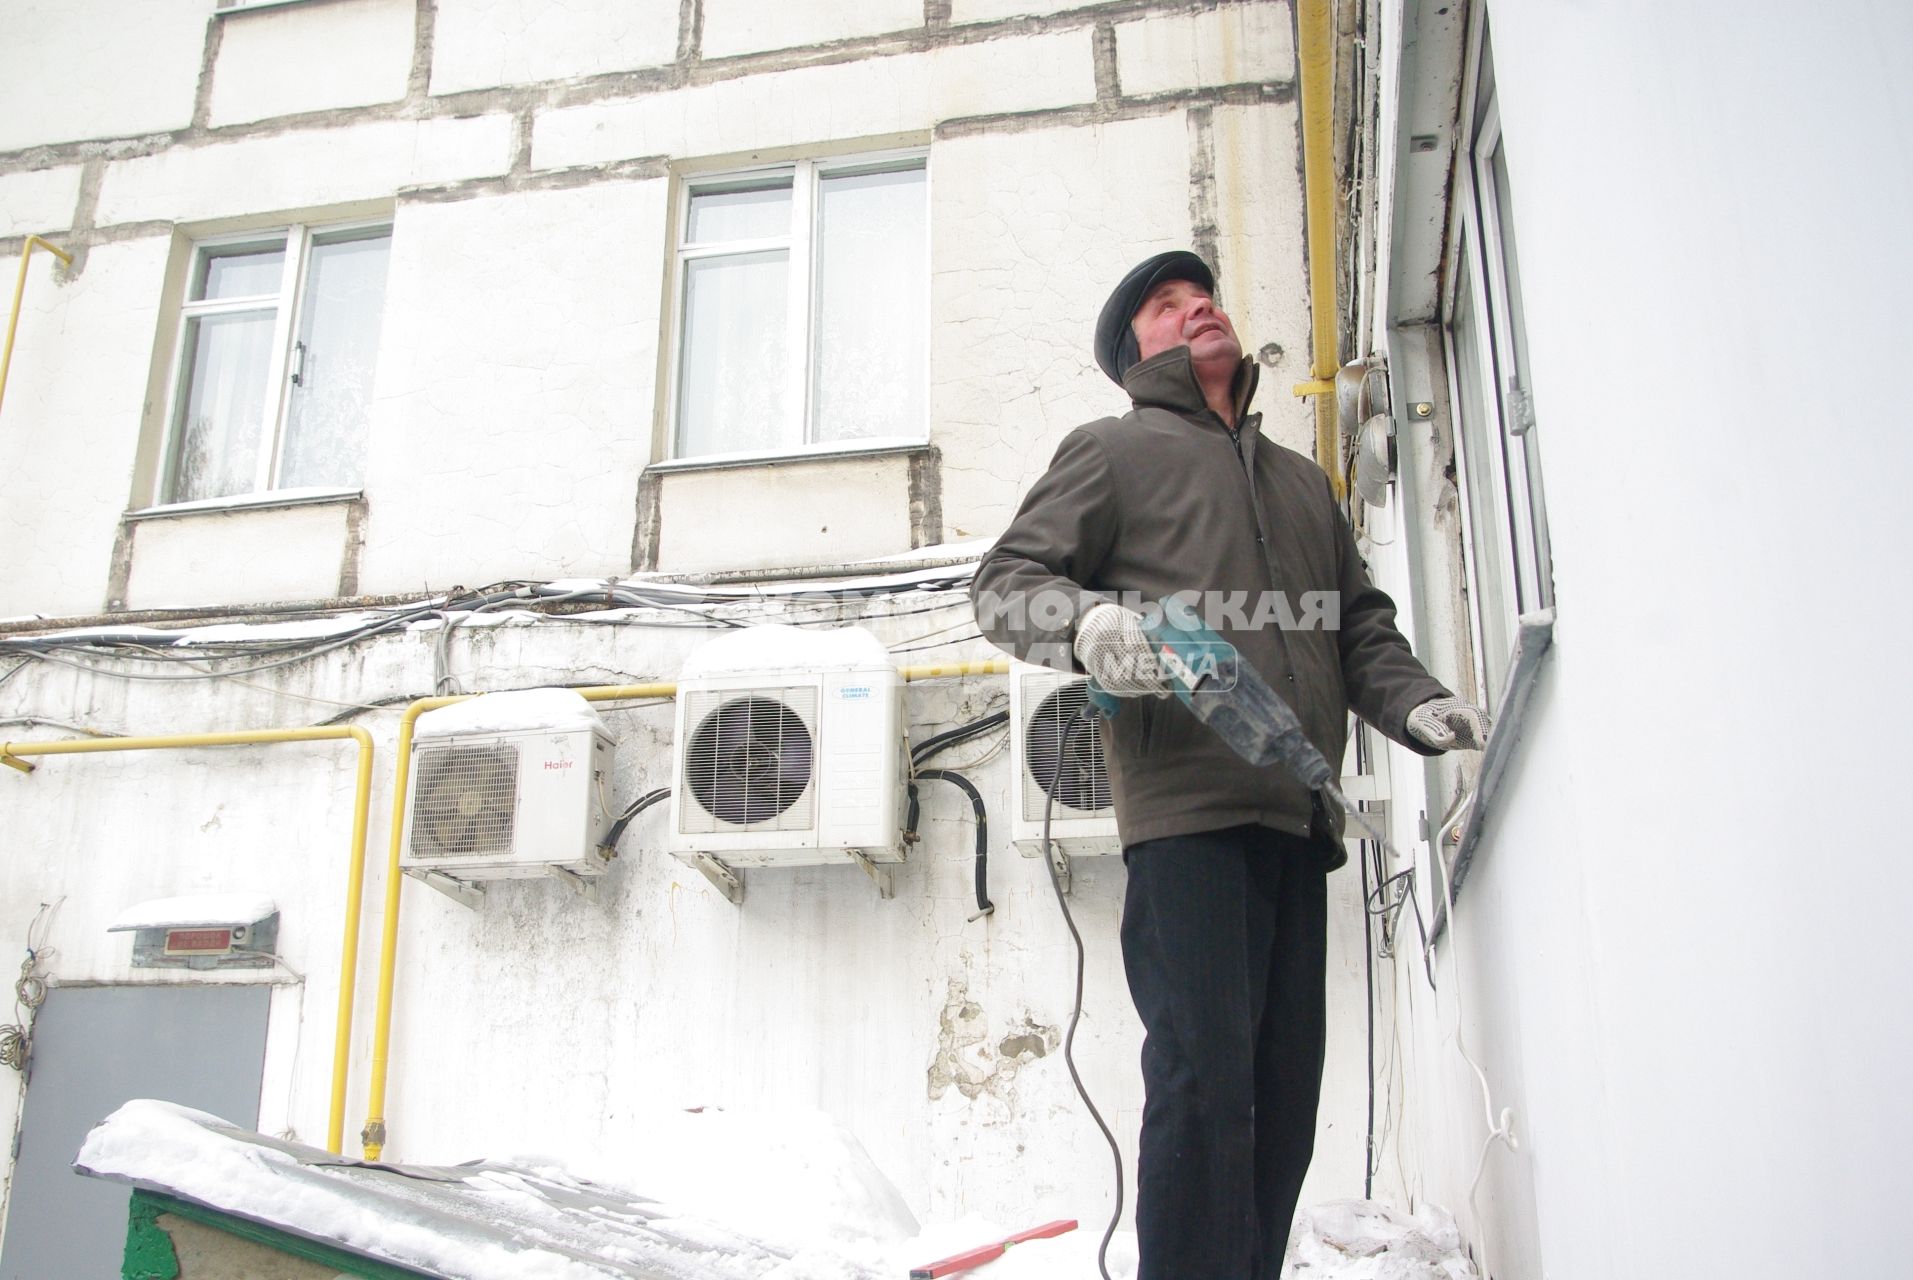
(334, 364)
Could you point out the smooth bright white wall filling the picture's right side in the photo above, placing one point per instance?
(1663, 952)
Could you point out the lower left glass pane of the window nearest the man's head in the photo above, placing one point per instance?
(732, 380)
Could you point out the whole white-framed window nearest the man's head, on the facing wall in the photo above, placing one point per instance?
(803, 311)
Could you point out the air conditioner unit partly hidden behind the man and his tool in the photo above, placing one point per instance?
(1082, 822)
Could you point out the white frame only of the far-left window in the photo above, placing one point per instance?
(288, 303)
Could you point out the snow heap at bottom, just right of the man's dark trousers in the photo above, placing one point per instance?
(1365, 1241)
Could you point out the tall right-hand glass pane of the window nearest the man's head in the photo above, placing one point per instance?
(869, 370)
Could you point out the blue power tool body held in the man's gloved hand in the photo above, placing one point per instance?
(1227, 694)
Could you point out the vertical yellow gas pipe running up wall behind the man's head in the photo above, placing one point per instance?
(1315, 28)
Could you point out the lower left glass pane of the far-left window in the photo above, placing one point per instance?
(225, 416)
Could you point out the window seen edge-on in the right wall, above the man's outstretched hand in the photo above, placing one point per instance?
(1506, 529)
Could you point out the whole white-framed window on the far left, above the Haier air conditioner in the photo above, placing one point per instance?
(278, 343)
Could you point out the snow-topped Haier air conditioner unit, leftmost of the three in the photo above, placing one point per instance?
(508, 785)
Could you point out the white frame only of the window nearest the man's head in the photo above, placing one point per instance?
(801, 303)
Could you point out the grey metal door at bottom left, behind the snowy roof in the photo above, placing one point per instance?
(95, 1049)
